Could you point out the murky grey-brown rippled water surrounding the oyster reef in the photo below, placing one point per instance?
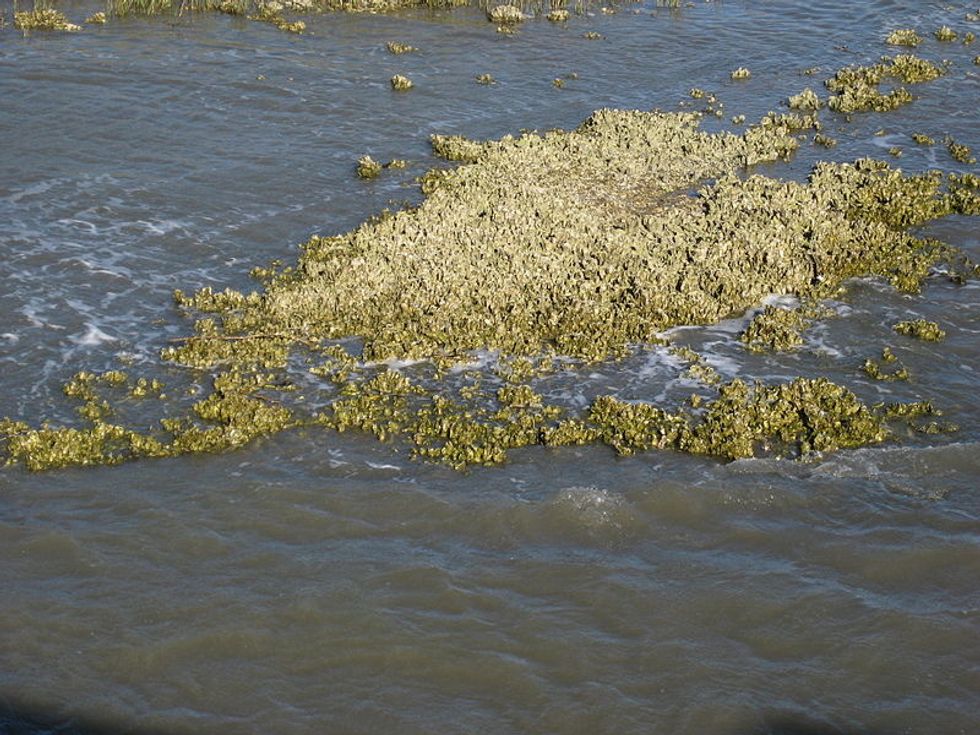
(317, 582)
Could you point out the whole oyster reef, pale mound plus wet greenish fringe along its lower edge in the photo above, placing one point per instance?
(554, 249)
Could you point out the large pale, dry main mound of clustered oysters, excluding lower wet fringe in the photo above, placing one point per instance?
(588, 241)
